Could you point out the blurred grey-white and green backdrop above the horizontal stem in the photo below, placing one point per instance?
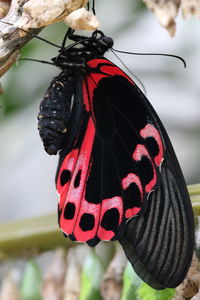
(27, 173)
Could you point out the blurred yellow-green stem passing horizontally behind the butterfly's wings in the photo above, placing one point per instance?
(42, 233)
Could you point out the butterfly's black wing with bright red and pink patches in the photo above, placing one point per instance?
(117, 164)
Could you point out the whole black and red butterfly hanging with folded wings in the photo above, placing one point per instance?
(118, 177)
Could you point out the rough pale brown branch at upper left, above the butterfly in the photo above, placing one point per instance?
(32, 15)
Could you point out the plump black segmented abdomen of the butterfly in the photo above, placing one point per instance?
(55, 112)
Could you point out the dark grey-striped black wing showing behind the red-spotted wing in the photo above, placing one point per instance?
(159, 244)
